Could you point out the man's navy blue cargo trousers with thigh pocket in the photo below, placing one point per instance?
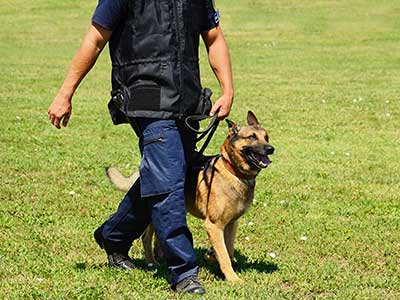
(158, 197)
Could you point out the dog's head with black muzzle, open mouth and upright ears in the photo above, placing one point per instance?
(247, 148)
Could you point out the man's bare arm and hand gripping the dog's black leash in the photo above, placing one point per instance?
(218, 57)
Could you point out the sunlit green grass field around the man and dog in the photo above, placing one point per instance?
(322, 76)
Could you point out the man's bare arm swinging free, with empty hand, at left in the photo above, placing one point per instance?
(92, 45)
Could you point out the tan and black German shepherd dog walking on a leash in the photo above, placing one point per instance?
(221, 192)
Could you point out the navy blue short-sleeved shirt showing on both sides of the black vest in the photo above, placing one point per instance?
(110, 13)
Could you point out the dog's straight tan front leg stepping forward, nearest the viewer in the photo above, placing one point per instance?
(216, 235)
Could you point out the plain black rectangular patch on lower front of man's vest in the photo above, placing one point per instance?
(145, 98)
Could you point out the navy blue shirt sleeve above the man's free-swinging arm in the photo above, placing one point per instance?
(109, 13)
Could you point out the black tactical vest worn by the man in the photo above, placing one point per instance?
(154, 54)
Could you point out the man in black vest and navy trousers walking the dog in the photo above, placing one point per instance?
(156, 83)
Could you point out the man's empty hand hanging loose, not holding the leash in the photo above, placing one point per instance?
(60, 111)
